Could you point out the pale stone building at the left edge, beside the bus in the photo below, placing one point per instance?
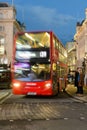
(8, 27)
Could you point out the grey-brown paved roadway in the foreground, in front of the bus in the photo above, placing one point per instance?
(42, 113)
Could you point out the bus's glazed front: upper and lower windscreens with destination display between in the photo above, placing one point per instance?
(32, 57)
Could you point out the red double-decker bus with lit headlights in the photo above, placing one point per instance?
(39, 64)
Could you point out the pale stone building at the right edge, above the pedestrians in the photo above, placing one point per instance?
(81, 39)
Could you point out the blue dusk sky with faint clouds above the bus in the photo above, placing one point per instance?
(60, 16)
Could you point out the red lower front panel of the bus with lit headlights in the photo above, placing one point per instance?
(32, 88)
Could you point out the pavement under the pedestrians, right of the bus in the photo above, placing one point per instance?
(71, 90)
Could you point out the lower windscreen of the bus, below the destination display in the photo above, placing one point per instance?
(31, 72)
